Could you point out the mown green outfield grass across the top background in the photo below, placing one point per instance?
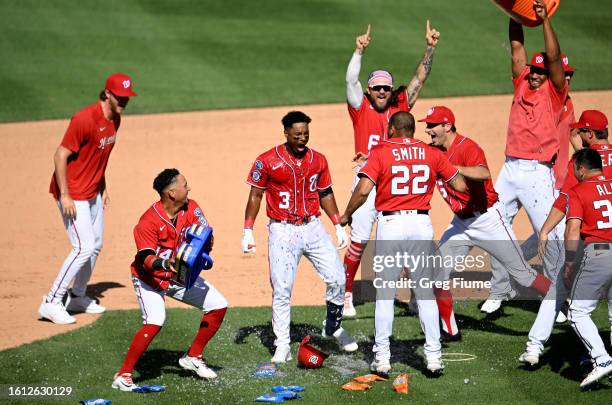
(201, 54)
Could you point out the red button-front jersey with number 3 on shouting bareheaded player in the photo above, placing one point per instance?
(292, 186)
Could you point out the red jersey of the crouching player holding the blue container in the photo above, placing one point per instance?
(157, 232)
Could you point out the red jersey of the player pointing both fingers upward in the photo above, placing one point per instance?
(371, 126)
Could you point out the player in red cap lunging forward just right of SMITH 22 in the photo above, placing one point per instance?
(479, 216)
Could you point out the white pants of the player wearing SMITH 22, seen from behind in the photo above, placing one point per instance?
(391, 233)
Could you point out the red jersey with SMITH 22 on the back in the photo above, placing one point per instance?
(405, 172)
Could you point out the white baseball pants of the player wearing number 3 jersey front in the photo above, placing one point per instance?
(286, 245)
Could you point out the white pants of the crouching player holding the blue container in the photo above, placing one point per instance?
(203, 295)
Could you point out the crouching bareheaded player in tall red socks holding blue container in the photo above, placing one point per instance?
(158, 234)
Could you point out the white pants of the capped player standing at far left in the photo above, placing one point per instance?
(85, 232)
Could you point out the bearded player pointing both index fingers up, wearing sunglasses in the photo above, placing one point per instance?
(370, 112)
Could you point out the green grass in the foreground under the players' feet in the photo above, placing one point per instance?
(87, 358)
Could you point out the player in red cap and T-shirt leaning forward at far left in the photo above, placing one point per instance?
(79, 187)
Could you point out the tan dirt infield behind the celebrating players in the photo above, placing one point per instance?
(214, 150)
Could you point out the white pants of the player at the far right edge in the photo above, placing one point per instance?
(592, 282)
